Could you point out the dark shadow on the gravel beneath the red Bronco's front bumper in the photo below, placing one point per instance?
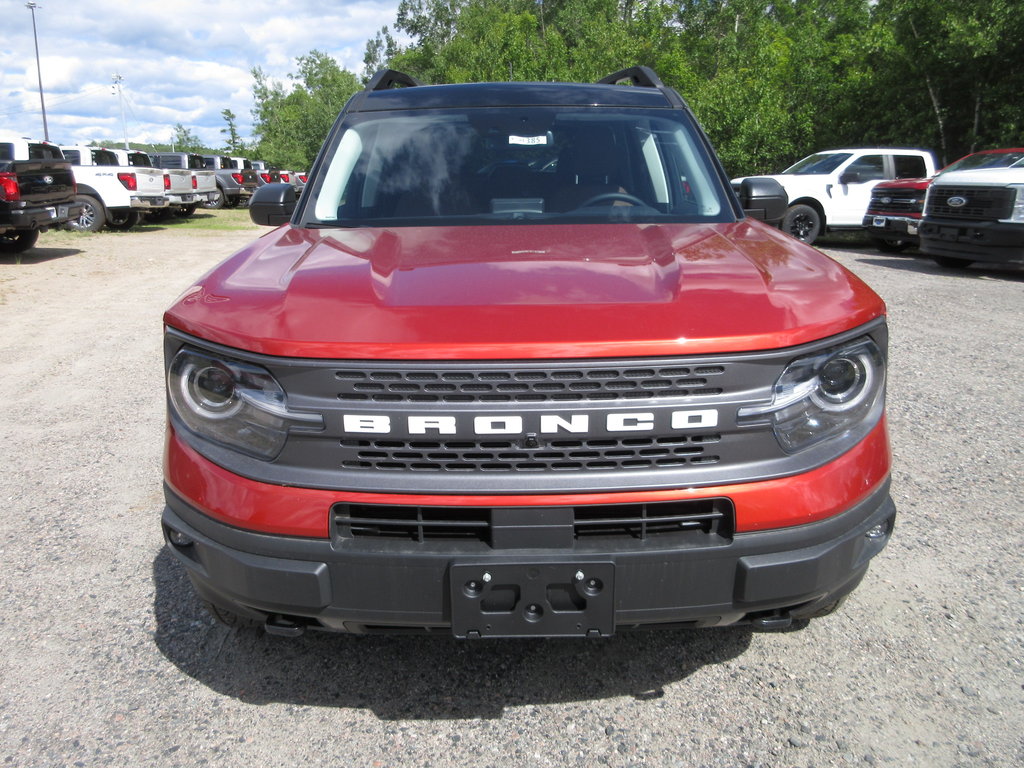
(402, 677)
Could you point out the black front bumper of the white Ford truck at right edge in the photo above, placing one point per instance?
(973, 241)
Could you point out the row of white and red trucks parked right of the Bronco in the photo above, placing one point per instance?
(972, 210)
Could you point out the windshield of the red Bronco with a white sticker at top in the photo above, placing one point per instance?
(517, 165)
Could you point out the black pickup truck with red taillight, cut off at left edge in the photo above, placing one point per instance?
(37, 192)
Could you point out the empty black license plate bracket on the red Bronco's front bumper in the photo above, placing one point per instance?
(554, 600)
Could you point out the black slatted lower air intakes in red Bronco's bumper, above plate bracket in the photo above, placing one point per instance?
(704, 519)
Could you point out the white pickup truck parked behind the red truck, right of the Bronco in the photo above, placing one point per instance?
(831, 190)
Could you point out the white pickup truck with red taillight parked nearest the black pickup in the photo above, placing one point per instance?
(112, 195)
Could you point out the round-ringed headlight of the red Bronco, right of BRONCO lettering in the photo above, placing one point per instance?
(824, 396)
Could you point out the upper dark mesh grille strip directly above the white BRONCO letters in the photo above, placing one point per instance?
(528, 385)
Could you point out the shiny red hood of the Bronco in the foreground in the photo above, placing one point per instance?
(524, 291)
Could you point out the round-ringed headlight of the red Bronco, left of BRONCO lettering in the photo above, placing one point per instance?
(232, 403)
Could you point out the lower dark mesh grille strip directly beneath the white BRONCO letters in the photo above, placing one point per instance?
(506, 456)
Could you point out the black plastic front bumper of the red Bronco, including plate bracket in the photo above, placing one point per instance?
(762, 578)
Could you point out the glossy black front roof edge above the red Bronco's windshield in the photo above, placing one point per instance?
(511, 95)
